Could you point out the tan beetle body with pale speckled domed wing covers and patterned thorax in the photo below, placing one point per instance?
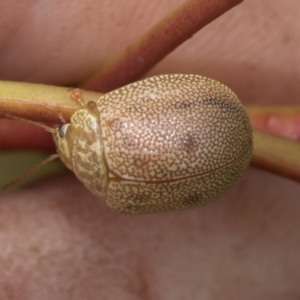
(166, 143)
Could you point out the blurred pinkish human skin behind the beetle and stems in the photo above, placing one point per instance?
(57, 241)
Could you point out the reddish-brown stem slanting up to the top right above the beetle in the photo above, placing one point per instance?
(164, 37)
